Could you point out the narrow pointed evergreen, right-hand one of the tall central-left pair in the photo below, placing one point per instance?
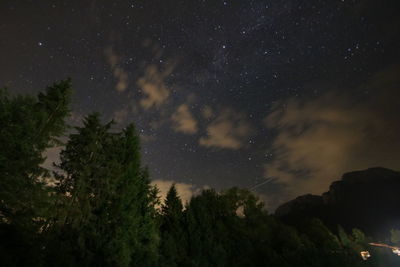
(136, 233)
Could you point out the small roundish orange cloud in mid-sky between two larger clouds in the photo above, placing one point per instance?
(183, 120)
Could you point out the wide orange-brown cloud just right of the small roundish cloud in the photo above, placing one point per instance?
(229, 130)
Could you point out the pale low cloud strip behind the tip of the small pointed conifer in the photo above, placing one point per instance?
(185, 191)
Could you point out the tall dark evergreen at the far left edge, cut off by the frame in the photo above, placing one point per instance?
(29, 125)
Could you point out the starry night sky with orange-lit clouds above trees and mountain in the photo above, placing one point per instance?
(223, 93)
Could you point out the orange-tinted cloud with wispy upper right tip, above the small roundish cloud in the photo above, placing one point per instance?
(153, 86)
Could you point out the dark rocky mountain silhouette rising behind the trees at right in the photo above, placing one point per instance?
(367, 199)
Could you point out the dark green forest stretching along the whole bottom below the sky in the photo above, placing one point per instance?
(99, 209)
